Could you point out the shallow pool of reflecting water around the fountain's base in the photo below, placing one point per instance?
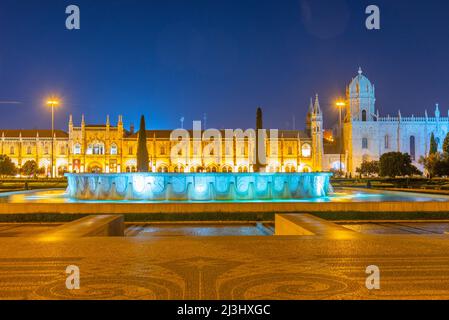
(60, 196)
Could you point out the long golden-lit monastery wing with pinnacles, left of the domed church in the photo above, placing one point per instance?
(111, 148)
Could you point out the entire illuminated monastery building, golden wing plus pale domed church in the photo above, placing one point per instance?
(111, 148)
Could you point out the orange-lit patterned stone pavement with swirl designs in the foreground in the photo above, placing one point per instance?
(412, 267)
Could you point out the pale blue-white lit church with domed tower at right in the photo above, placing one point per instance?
(367, 135)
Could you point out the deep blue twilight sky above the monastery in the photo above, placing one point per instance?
(172, 58)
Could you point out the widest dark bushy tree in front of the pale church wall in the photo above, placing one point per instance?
(394, 164)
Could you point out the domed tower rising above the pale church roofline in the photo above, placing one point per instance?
(361, 99)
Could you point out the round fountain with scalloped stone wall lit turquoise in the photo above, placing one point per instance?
(198, 186)
